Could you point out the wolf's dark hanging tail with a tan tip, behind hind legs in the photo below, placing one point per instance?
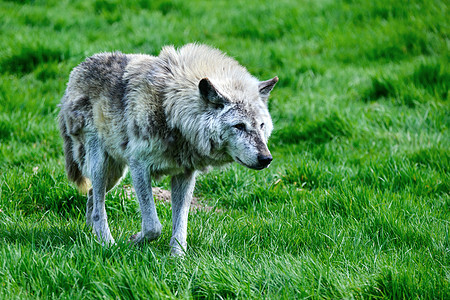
(72, 168)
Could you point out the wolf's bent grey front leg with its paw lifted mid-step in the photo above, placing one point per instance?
(151, 227)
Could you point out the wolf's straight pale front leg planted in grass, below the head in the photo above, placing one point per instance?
(182, 189)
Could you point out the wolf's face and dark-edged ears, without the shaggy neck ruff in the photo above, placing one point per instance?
(242, 121)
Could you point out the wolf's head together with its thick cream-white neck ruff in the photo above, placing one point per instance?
(217, 105)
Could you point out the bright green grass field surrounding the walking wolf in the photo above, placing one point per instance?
(356, 203)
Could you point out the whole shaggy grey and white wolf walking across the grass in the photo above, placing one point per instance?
(182, 111)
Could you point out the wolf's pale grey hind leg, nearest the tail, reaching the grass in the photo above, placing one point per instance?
(98, 161)
